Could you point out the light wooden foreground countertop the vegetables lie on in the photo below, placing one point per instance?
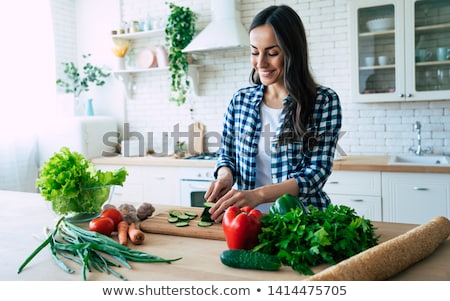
(25, 215)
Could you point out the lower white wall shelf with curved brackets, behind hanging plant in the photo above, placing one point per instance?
(127, 78)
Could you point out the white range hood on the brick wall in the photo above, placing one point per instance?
(224, 32)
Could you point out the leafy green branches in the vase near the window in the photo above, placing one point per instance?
(76, 82)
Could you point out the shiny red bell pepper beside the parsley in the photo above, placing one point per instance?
(241, 227)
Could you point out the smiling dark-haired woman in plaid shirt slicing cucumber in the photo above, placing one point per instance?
(279, 134)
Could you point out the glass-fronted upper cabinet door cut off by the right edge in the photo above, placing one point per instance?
(428, 36)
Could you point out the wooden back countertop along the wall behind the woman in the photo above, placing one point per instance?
(350, 163)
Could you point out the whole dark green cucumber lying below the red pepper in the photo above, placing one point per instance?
(247, 259)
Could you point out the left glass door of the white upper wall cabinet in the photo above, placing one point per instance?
(378, 50)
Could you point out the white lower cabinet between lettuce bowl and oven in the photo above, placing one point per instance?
(147, 184)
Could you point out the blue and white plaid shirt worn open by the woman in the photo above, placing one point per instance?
(309, 166)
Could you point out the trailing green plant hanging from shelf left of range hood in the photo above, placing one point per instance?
(180, 30)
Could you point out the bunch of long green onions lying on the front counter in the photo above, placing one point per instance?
(91, 250)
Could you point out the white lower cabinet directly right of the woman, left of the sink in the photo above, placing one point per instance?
(358, 190)
